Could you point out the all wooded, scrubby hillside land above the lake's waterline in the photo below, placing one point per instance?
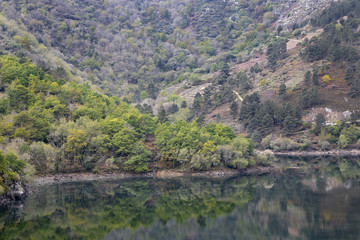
(100, 85)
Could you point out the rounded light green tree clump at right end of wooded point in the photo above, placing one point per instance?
(200, 148)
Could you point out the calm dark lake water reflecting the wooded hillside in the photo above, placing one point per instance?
(290, 205)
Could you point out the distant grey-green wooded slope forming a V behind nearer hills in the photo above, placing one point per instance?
(128, 47)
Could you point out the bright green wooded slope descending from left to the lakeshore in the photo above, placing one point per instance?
(50, 125)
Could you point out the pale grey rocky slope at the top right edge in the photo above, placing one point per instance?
(298, 11)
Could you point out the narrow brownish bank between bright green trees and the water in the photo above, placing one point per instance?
(162, 174)
